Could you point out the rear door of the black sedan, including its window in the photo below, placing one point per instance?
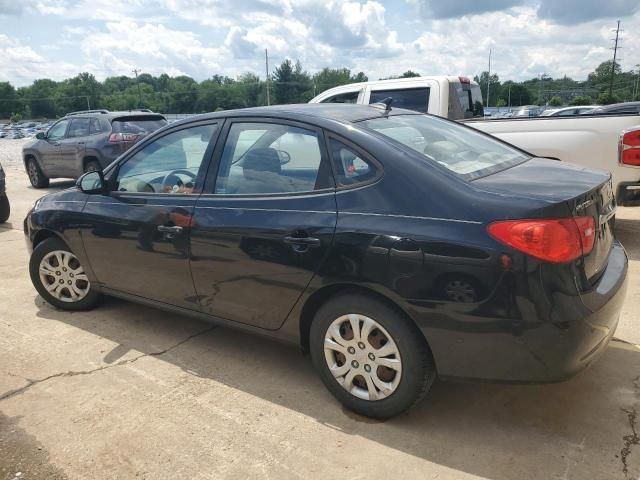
(266, 226)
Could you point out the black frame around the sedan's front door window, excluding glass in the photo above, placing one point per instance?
(112, 174)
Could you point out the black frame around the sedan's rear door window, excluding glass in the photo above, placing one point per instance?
(212, 173)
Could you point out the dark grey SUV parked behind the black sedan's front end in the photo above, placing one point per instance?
(85, 141)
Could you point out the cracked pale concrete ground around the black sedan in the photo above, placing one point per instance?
(126, 391)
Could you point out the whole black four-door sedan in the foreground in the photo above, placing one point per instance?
(393, 246)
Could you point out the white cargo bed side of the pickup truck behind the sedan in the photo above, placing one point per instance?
(586, 140)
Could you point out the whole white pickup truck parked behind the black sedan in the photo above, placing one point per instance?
(606, 142)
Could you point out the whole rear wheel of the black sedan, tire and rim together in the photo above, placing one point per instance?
(406, 383)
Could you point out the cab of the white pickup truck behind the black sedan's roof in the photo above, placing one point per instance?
(445, 96)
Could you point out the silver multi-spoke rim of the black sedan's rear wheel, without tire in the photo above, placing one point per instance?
(362, 357)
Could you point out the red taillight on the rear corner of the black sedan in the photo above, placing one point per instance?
(553, 240)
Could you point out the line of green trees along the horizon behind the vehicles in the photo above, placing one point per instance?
(289, 83)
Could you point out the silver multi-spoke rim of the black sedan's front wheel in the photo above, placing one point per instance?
(63, 277)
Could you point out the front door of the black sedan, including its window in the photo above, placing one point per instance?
(137, 240)
